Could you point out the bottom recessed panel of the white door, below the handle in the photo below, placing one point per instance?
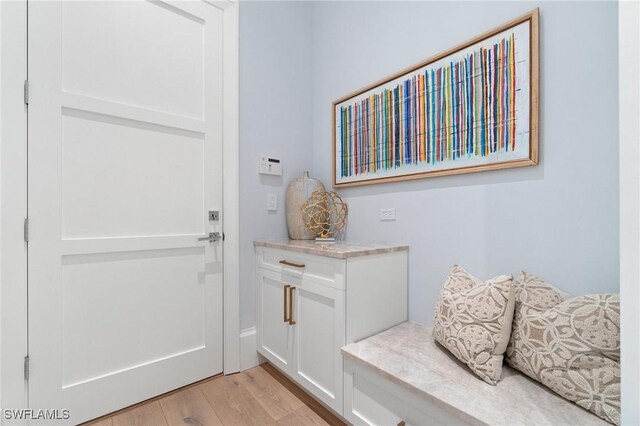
(133, 285)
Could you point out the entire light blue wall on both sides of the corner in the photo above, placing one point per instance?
(558, 219)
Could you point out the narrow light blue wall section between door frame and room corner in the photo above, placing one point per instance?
(275, 119)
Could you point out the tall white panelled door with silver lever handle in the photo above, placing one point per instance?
(125, 144)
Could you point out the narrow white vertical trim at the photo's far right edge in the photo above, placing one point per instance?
(629, 136)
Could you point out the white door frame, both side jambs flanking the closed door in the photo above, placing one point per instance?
(13, 199)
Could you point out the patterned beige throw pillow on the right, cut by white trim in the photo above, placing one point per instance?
(571, 345)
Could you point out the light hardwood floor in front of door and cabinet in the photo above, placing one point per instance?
(259, 396)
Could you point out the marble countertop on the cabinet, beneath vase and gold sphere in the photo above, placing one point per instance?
(338, 250)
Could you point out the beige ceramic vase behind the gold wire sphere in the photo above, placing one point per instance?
(298, 191)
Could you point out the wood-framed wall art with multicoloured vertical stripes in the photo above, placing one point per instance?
(471, 108)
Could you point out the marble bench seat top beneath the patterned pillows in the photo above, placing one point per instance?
(408, 356)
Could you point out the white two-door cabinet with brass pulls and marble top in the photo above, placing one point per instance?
(309, 305)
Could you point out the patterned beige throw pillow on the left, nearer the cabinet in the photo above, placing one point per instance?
(473, 320)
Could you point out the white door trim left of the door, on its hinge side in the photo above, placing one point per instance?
(13, 204)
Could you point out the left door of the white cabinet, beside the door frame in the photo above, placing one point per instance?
(275, 334)
